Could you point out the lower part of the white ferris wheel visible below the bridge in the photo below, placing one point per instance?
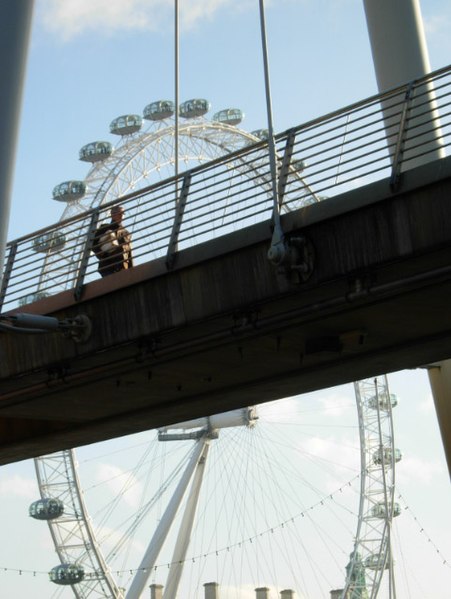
(276, 496)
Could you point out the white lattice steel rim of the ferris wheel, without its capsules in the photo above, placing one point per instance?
(124, 161)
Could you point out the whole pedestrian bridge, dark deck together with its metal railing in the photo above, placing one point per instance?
(358, 285)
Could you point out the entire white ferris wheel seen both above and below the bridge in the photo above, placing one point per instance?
(92, 564)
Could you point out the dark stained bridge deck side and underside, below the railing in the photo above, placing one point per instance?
(224, 329)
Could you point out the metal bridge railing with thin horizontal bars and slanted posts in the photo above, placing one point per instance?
(374, 139)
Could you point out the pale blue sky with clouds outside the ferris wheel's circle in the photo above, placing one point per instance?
(93, 60)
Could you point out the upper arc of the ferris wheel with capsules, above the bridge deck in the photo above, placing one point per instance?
(145, 155)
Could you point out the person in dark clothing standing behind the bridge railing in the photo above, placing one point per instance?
(112, 244)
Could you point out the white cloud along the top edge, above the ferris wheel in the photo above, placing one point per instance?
(70, 18)
